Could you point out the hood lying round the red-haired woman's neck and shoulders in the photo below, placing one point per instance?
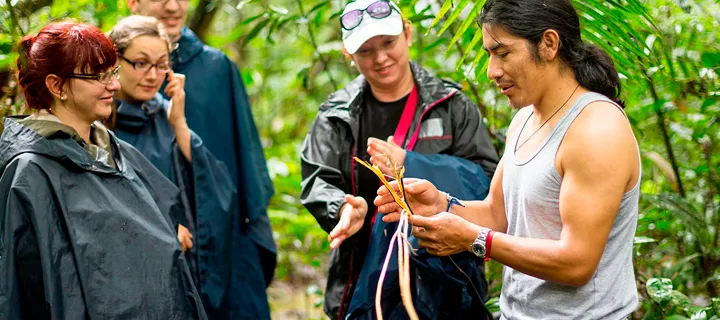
(17, 139)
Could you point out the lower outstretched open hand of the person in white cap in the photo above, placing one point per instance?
(352, 218)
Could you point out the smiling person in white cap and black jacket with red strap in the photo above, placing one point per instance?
(395, 109)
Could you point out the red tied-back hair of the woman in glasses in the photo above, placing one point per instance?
(60, 48)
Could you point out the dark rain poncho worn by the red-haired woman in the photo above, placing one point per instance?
(80, 239)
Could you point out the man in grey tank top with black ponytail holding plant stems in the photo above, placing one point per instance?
(562, 209)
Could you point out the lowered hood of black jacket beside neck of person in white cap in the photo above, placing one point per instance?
(347, 100)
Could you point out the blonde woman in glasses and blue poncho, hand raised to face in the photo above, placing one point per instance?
(157, 127)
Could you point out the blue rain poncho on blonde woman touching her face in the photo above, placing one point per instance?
(208, 194)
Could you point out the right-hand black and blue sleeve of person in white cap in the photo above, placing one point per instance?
(467, 171)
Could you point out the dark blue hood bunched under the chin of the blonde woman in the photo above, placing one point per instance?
(133, 117)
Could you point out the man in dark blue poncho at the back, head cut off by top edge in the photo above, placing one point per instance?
(219, 112)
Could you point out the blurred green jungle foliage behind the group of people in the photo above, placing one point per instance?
(290, 54)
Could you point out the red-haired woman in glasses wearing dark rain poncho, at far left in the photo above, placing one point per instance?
(87, 224)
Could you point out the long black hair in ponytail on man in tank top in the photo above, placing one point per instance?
(529, 19)
